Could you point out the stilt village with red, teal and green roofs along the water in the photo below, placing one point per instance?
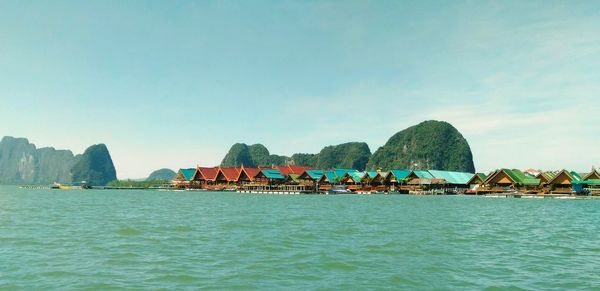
(305, 180)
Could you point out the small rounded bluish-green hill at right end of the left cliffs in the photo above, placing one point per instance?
(94, 166)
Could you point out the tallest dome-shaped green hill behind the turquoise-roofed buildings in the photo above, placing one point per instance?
(428, 145)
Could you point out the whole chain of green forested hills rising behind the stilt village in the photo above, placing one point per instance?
(428, 145)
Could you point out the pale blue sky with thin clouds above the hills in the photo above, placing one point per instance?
(175, 83)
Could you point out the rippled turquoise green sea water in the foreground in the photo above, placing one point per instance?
(53, 239)
